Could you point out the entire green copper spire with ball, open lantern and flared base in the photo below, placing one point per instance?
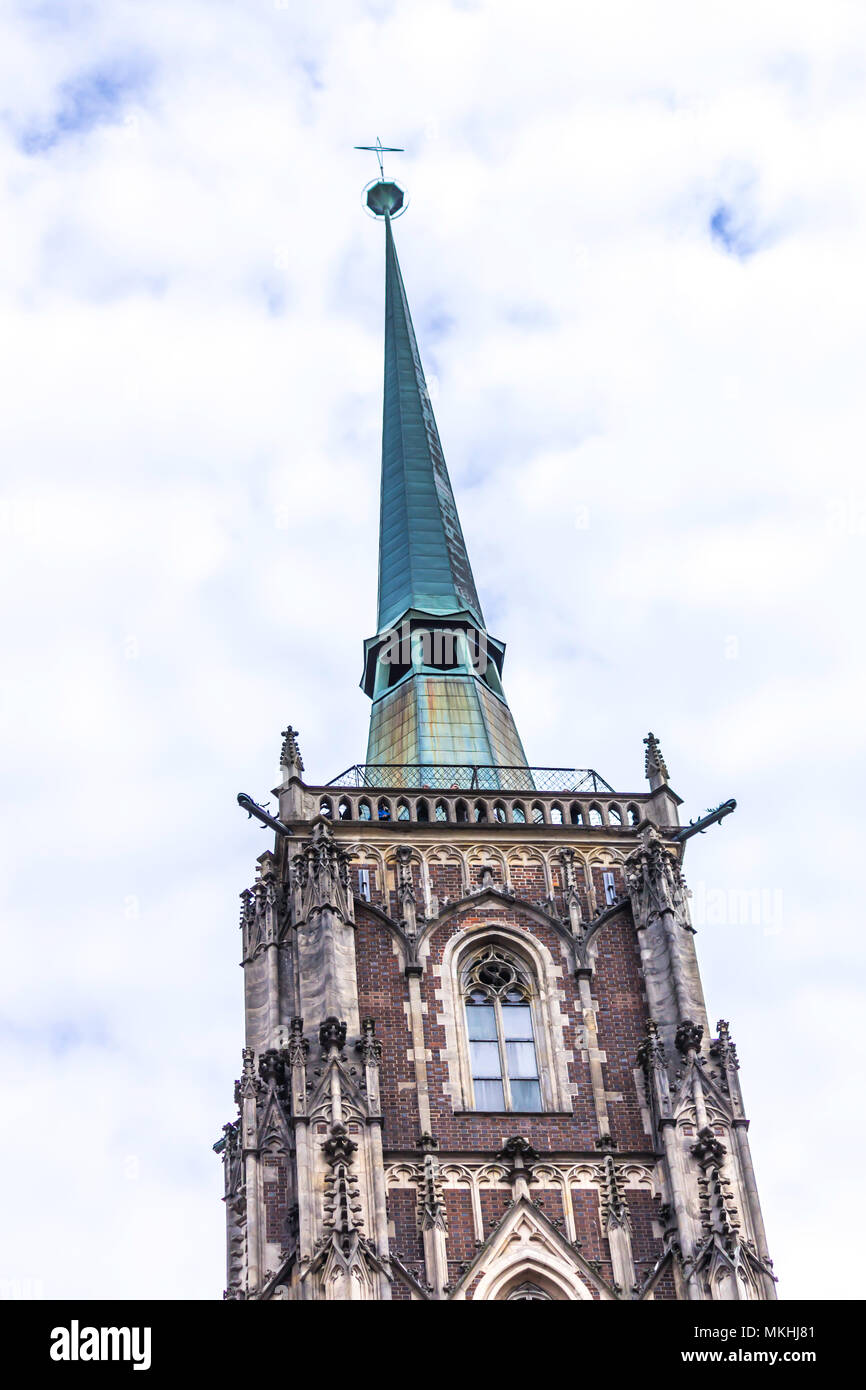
(433, 671)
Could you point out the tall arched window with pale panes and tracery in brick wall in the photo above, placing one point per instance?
(501, 1035)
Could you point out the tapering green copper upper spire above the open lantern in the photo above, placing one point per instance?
(423, 558)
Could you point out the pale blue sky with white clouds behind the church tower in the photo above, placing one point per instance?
(635, 254)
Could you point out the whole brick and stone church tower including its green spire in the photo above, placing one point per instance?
(479, 1063)
